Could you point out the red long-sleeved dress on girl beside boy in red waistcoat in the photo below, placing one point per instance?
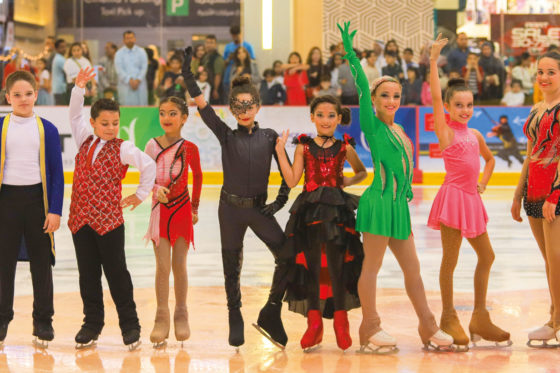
(173, 219)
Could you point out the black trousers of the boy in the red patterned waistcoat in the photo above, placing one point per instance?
(93, 253)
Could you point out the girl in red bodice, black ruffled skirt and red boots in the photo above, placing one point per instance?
(322, 222)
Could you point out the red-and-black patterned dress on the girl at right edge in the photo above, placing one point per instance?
(543, 129)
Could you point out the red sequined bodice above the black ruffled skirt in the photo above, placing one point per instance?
(323, 166)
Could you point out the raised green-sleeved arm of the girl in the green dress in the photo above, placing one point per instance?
(368, 121)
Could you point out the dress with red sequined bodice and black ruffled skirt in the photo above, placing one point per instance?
(324, 203)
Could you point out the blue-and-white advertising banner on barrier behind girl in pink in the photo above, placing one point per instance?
(501, 127)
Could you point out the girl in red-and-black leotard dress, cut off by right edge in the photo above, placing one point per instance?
(539, 186)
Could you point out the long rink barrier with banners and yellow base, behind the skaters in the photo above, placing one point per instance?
(140, 124)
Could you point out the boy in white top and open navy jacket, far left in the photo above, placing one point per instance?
(31, 193)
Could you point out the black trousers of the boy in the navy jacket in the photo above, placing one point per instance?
(22, 214)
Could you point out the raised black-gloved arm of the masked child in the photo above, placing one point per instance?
(207, 114)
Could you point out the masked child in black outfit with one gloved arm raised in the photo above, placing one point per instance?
(247, 153)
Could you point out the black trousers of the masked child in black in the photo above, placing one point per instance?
(234, 222)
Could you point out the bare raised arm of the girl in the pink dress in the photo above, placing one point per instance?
(443, 132)
